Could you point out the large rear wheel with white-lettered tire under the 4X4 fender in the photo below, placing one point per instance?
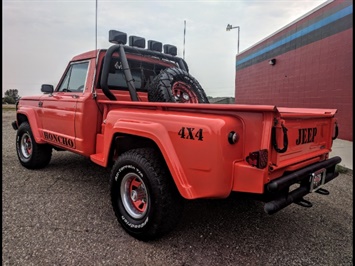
(144, 197)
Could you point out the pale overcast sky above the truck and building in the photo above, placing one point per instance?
(40, 37)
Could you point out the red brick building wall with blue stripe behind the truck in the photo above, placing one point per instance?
(313, 67)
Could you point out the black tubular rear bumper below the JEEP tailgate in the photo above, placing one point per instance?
(276, 188)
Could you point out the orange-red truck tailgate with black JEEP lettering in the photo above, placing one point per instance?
(302, 136)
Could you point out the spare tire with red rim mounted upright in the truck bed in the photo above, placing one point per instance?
(176, 85)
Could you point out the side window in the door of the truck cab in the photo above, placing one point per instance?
(75, 78)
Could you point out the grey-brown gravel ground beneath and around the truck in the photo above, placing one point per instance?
(62, 215)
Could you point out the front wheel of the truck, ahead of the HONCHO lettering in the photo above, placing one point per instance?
(30, 154)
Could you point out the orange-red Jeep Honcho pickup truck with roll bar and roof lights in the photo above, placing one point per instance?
(140, 112)
